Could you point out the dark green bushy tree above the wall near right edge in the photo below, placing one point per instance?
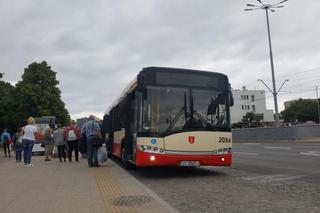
(303, 110)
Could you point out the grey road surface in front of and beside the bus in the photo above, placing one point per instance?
(264, 177)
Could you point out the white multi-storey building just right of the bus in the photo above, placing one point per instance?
(250, 101)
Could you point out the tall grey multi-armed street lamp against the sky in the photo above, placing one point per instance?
(267, 8)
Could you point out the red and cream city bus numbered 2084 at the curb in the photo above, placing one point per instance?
(171, 117)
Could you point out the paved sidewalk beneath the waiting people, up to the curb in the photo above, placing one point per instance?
(73, 187)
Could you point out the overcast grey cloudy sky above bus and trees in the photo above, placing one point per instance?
(98, 47)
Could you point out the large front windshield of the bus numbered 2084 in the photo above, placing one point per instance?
(169, 109)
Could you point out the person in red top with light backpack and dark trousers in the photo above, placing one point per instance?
(71, 134)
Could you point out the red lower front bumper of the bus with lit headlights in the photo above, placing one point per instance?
(144, 159)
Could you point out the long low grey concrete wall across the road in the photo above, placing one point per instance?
(292, 133)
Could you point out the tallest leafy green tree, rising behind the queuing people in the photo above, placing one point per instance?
(38, 95)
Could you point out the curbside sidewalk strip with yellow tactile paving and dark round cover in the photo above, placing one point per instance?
(122, 194)
